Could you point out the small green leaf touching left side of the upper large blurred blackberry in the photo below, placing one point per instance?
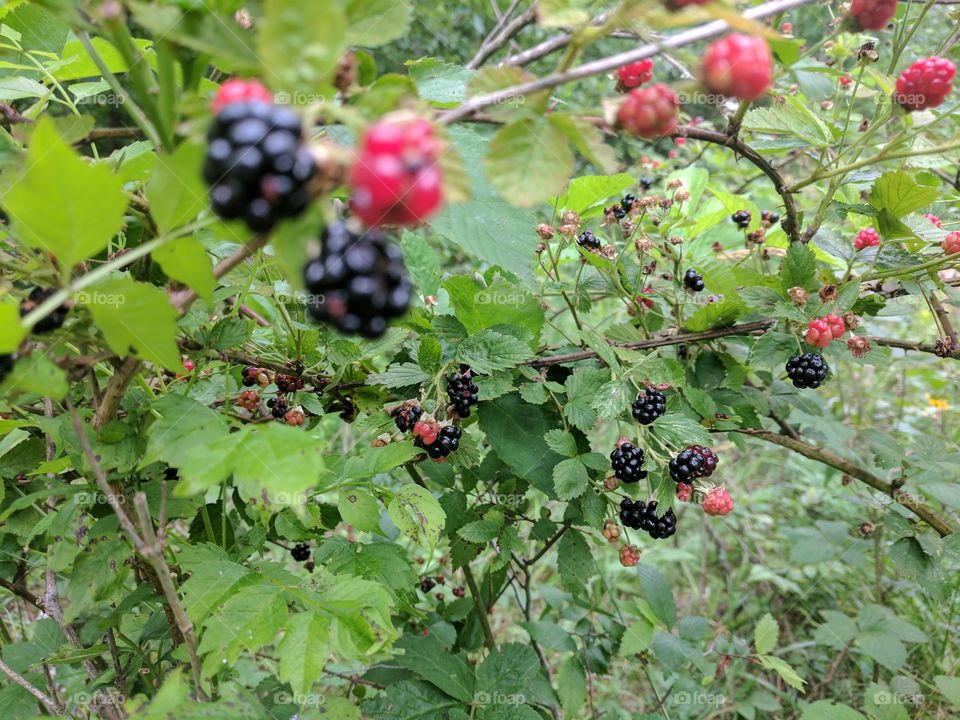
(176, 192)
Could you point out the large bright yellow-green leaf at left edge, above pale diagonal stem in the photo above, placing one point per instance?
(63, 204)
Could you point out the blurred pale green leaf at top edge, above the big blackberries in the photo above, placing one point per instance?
(312, 31)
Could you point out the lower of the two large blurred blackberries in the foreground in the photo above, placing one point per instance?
(358, 283)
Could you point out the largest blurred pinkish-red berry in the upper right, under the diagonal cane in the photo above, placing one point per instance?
(738, 66)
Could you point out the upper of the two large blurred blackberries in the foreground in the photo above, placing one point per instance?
(257, 165)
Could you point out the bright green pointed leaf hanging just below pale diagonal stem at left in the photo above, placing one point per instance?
(134, 317)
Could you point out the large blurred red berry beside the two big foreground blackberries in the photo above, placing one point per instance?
(396, 179)
